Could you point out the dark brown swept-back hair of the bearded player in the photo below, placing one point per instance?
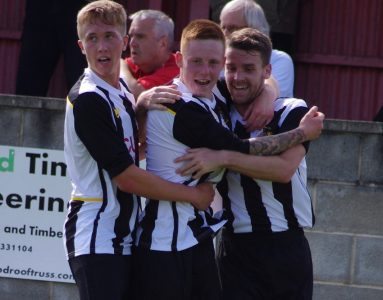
(249, 40)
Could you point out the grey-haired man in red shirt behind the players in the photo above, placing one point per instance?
(151, 61)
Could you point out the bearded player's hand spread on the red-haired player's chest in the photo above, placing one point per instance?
(199, 161)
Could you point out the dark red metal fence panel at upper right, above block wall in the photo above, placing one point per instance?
(339, 57)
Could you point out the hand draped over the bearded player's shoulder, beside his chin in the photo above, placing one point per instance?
(261, 110)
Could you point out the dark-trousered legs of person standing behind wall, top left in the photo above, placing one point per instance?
(49, 31)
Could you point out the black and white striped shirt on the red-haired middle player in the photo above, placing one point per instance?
(189, 123)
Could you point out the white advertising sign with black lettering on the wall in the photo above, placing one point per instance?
(34, 191)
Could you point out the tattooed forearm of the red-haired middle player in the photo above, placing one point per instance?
(275, 144)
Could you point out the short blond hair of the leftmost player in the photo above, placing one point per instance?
(106, 11)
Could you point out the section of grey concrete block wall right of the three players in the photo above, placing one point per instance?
(346, 182)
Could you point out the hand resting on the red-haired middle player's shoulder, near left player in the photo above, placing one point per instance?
(156, 96)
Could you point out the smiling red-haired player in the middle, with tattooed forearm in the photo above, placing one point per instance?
(177, 236)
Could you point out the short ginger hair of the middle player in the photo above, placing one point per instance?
(201, 29)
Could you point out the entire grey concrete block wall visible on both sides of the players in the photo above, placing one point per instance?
(346, 183)
